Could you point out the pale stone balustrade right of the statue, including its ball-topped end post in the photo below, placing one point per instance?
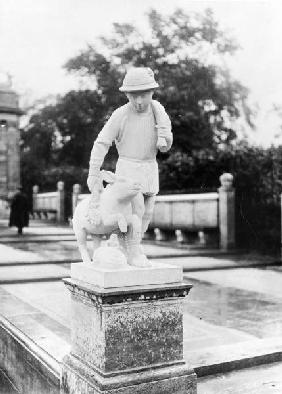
(207, 218)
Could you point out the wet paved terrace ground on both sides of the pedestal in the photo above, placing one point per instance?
(230, 314)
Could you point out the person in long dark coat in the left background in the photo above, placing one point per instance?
(19, 214)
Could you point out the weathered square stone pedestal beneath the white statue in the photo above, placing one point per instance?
(128, 339)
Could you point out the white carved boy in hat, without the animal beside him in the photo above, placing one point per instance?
(138, 128)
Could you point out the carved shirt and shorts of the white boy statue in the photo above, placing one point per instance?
(135, 136)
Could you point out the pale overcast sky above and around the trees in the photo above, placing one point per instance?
(38, 36)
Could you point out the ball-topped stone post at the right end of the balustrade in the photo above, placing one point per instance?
(226, 212)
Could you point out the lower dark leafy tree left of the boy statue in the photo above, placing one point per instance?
(57, 141)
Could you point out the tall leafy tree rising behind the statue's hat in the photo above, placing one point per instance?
(199, 95)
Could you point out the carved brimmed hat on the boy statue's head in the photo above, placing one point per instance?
(138, 79)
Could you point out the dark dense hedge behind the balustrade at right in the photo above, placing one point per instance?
(257, 179)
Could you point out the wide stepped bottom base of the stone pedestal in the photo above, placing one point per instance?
(77, 377)
